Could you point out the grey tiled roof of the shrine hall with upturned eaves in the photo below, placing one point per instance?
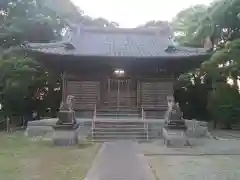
(112, 42)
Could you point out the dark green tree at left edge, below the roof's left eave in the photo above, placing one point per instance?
(17, 78)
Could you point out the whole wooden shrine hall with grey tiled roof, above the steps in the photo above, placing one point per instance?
(114, 68)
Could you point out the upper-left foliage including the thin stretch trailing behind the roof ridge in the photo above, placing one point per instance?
(40, 21)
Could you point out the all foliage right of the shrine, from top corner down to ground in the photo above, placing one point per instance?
(214, 87)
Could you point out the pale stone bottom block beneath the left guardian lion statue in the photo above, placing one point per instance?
(65, 138)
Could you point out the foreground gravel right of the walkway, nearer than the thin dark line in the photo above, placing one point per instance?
(195, 167)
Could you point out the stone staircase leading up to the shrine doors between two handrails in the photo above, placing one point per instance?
(118, 123)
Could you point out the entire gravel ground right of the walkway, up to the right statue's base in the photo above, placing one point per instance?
(207, 159)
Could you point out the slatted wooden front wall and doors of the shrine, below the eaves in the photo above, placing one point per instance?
(148, 93)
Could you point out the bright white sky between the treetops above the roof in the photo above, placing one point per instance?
(131, 13)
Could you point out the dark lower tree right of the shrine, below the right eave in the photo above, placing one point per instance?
(214, 88)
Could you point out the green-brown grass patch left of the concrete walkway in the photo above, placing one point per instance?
(21, 159)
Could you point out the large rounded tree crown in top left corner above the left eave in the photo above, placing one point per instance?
(28, 20)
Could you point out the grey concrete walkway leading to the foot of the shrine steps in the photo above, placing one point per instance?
(120, 160)
